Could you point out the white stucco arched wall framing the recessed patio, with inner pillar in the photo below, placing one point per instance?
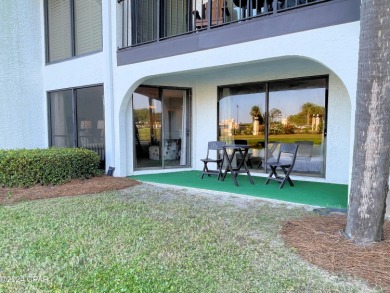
(330, 50)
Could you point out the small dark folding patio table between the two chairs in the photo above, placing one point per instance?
(241, 166)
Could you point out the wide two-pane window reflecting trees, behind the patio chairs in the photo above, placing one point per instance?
(267, 114)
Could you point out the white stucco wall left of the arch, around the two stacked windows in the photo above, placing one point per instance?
(25, 79)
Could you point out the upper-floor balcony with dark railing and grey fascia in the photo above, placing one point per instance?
(148, 35)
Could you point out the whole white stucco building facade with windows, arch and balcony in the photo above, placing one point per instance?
(146, 84)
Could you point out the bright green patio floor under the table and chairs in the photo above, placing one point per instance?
(324, 195)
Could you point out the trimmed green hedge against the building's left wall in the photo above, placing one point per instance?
(24, 168)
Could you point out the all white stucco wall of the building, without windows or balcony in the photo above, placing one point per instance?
(25, 81)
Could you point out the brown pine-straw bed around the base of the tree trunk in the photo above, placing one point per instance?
(318, 240)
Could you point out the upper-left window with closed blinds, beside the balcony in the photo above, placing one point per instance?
(73, 28)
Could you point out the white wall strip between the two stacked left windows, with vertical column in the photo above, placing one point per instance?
(88, 70)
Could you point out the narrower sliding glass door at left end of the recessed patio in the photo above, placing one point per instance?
(161, 127)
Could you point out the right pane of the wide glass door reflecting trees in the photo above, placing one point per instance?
(297, 115)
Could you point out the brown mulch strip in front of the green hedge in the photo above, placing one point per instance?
(74, 187)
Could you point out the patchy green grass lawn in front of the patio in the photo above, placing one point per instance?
(152, 239)
